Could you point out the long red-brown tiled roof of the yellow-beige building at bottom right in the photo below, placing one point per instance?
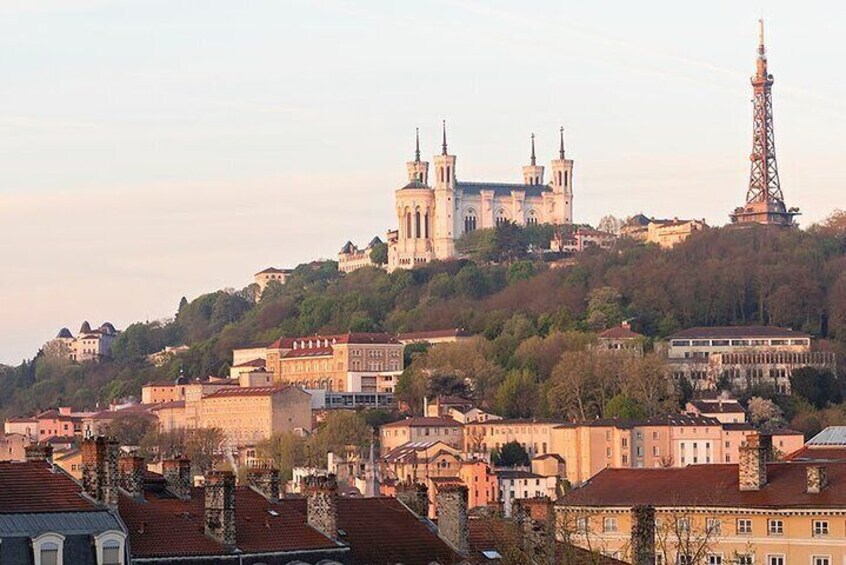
(709, 486)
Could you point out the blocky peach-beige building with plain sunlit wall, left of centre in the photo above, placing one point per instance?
(250, 415)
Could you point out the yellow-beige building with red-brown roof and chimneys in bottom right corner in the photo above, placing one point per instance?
(751, 512)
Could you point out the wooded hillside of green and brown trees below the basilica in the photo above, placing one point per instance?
(722, 276)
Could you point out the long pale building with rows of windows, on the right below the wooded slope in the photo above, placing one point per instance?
(742, 356)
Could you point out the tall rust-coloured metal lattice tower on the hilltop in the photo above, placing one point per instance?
(764, 198)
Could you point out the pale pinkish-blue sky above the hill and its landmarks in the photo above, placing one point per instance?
(152, 149)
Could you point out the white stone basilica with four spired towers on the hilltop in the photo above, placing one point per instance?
(431, 217)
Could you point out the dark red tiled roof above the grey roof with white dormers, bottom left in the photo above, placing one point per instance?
(36, 487)
